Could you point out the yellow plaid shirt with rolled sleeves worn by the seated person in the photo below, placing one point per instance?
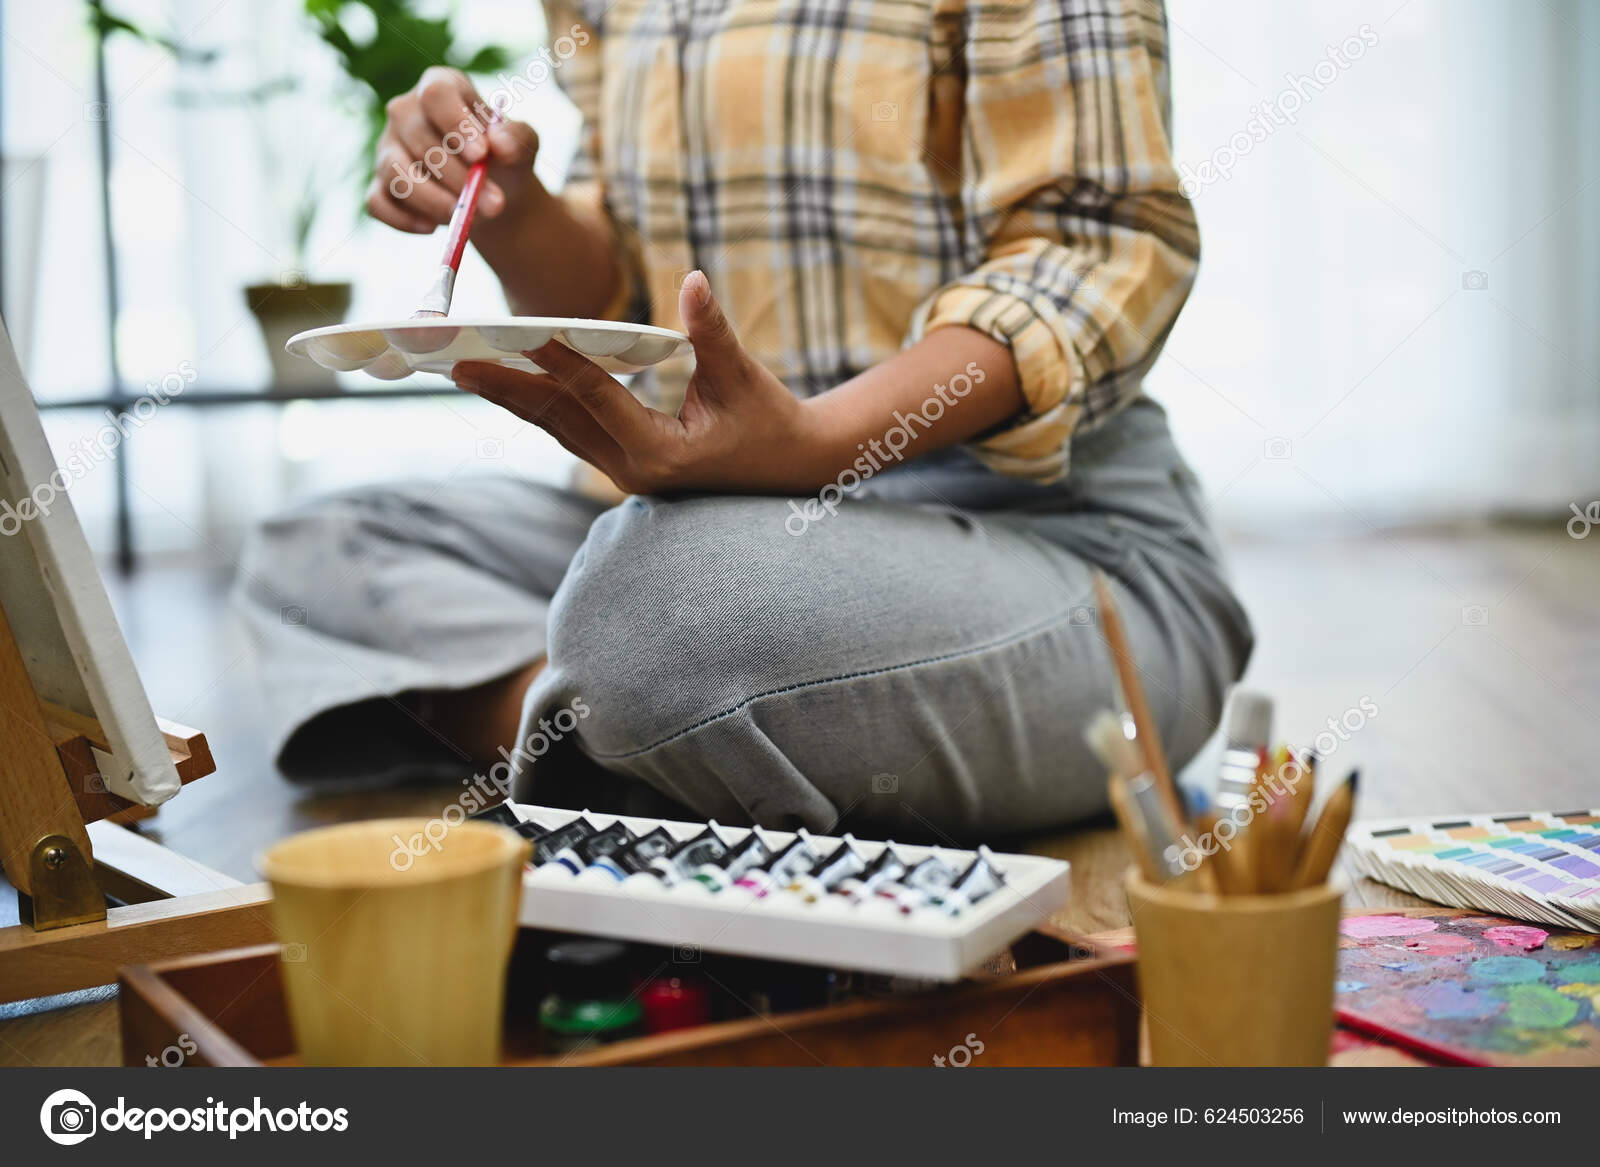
(855, 174)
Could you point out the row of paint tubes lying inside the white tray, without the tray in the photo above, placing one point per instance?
(759, 868)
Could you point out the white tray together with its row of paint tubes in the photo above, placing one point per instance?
(898, 910)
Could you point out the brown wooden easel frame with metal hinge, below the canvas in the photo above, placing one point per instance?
(65, 859)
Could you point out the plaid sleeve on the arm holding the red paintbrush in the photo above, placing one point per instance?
(575, 33)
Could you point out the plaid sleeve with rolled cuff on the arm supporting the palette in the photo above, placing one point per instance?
(1086, 246)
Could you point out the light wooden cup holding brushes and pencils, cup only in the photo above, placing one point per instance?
(1242, 981)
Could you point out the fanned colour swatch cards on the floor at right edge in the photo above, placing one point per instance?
(1535, 865)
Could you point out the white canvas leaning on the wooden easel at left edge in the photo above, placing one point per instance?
(58, 609)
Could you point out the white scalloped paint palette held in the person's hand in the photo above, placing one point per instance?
(399, 348)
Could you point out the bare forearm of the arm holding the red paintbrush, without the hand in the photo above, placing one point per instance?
(553, 257)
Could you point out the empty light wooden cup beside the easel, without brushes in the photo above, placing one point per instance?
(396, 955)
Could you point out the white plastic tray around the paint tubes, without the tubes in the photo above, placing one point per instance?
(873, 937)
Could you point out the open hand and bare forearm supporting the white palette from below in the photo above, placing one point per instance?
(740, 428)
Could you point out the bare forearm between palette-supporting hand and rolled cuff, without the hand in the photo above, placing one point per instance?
(953, 385)
